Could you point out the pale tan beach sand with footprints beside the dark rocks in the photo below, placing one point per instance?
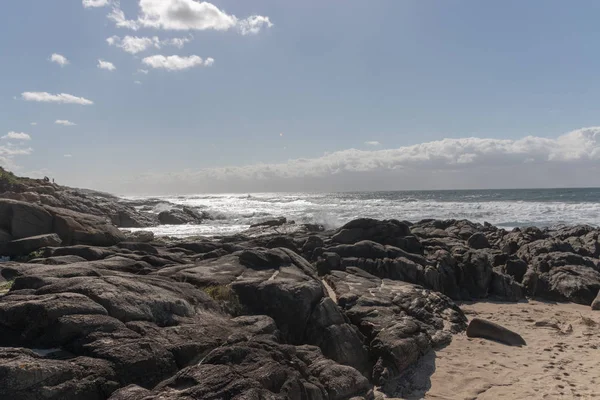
(560, 361)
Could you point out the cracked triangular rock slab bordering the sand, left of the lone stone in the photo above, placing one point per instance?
(400, 321)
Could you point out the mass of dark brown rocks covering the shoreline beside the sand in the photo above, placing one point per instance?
(281, 311)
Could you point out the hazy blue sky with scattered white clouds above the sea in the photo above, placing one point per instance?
(183, 96)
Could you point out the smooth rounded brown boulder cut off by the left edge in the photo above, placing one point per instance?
(23, 219)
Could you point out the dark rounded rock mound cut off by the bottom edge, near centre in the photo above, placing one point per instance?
(263, 369)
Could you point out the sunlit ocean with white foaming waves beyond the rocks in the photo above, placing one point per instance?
(505, 208)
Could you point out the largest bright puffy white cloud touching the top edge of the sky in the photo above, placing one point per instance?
(186, 15)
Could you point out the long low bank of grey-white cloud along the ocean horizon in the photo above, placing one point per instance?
(572, 159)
